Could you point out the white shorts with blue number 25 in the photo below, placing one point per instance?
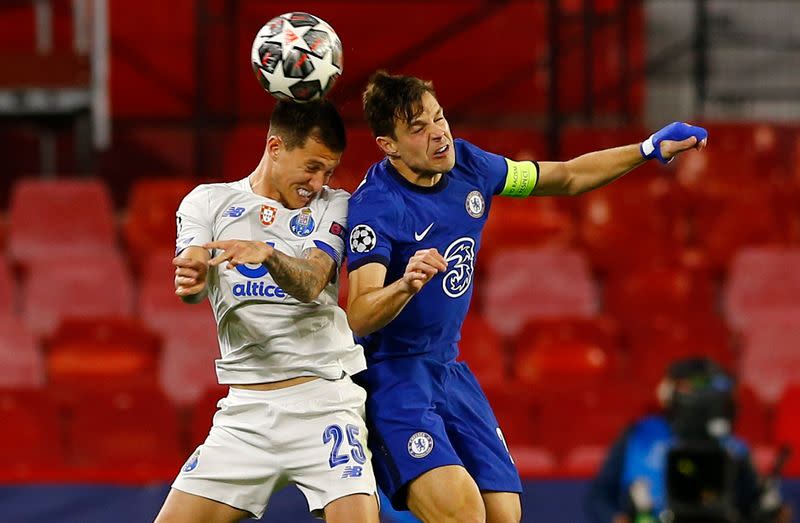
(312, 435)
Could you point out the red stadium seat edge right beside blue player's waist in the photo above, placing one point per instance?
(483, 350)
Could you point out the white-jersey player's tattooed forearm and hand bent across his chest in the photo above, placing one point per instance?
(302, 278)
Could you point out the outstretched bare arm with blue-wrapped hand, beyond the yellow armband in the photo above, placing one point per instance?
(599, 168)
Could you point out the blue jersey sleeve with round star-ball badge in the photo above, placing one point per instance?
(372, 222)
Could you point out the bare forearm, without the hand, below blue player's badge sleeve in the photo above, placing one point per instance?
(375, 309)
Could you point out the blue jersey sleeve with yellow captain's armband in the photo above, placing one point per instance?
(503, 176)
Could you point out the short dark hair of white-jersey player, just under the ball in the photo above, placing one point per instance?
(294, 122)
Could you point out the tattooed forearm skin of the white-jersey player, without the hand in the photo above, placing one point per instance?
(302, 278)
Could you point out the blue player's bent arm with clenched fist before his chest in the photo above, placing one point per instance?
(371, 306)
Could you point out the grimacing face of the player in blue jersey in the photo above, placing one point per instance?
(425, 145)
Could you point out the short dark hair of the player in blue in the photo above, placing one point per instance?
(392, 98)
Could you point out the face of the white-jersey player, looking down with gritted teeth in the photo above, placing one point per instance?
(299, 174)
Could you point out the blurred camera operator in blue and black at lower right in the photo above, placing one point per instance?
(642, 472)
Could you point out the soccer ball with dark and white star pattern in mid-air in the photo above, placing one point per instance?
(297, 56)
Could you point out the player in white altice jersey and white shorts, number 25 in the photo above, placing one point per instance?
(266, 251)
